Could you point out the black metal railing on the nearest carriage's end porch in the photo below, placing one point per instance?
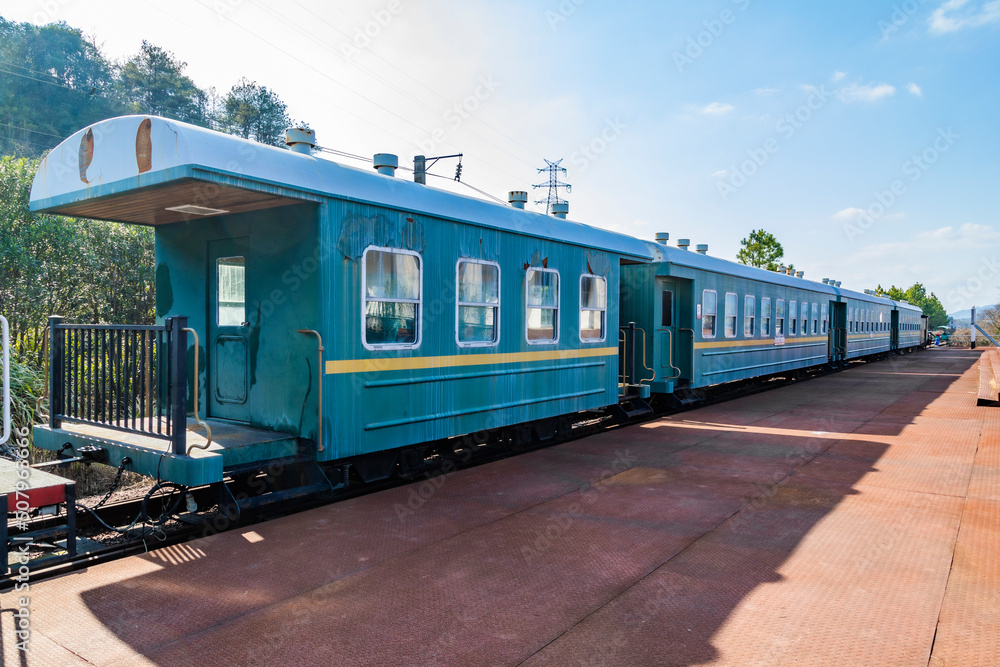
(129, 378)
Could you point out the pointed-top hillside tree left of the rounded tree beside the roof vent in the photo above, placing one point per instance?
(153, 82)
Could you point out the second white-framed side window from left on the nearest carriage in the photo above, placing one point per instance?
(477, 303)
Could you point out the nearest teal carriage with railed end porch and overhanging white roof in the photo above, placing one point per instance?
(418, 315)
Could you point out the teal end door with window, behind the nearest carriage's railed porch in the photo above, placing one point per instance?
(227, 347)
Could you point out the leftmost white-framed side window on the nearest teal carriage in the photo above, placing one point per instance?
(391, 290)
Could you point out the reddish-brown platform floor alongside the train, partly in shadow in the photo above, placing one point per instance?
(846, 520)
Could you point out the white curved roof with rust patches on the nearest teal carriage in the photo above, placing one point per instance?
(152, 171)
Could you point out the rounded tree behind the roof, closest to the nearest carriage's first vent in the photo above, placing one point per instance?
(254, 112)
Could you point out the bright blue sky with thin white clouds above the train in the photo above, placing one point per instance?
(862, 134)
